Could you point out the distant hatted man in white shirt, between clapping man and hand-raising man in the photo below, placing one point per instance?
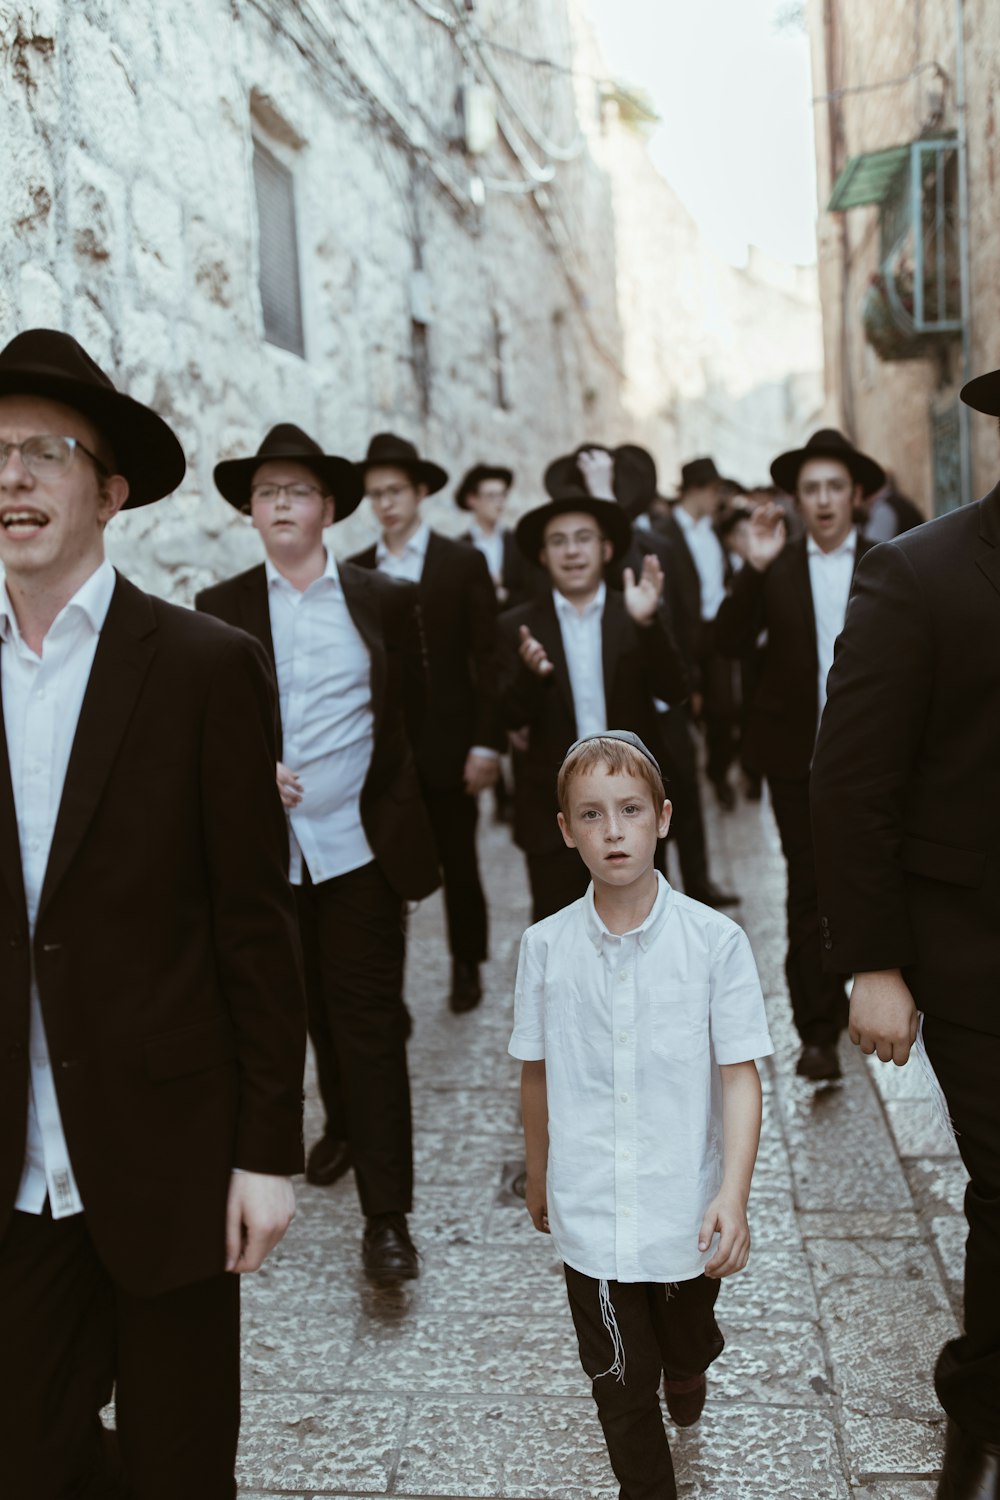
(692, 529)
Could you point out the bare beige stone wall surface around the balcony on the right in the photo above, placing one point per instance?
(909, 55)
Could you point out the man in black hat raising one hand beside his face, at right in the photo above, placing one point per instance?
(797, 593)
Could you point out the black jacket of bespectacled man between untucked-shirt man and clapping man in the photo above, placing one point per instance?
(460, 614)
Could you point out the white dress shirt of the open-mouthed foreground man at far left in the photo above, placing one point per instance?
(43, 697)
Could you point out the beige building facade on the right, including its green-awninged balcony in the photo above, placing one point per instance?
(899, 76)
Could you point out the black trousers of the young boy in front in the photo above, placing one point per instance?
(663, 1331)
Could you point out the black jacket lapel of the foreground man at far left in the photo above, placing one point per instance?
(124, 656)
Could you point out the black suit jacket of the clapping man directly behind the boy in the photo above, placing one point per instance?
(639, 665)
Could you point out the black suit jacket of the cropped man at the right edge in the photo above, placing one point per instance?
(906, 785)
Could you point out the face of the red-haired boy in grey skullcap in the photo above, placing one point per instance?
(614, 824)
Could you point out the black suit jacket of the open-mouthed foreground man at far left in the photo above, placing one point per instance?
(164, 947)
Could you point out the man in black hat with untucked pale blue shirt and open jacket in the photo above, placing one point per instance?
(346, 649)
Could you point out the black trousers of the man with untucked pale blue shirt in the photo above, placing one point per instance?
(355, 946)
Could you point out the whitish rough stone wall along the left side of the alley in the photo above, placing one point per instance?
(133, 224)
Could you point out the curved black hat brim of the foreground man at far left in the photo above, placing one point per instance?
(146, 449)
